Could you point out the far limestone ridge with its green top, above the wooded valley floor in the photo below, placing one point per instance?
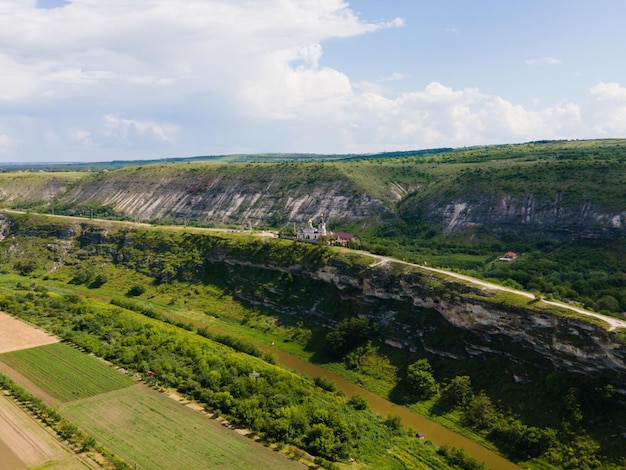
(564, 192)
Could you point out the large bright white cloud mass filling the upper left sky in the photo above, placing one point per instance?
(85, 59)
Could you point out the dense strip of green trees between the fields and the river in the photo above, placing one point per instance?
(270, 401)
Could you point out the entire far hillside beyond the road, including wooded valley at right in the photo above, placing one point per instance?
(560, 205)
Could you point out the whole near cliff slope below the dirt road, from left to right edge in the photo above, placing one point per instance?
(416, 310)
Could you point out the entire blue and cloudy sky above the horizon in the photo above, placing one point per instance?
(93, 80)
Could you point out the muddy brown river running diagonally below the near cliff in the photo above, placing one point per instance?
(434, 432)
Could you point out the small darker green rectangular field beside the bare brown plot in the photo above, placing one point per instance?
(66, 373)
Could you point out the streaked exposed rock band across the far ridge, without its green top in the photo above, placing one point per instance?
(266, 194)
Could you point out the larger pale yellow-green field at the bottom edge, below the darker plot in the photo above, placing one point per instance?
(153, 431)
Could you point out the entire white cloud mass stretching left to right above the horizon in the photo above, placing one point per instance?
(83, 78)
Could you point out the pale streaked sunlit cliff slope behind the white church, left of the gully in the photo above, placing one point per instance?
(213, 197)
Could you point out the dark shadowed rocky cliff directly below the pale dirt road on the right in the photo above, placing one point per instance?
(417, 310)
